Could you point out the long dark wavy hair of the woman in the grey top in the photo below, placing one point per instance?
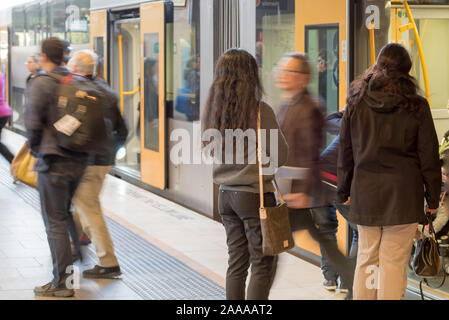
(234, 94)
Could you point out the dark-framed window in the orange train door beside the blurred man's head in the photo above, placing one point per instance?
(322, 47)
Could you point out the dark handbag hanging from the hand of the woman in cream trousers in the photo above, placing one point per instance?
(426, 258)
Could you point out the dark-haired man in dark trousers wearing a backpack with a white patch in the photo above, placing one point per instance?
(51, 133)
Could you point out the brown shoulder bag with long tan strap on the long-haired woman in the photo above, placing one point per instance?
(276, 231)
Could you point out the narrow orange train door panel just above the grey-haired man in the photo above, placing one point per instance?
(98, 38)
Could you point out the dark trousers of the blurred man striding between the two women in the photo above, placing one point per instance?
(301, 219)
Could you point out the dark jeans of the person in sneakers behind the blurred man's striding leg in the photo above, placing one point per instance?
(326, 220)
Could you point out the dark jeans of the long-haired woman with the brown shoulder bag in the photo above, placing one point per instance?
(240, 215)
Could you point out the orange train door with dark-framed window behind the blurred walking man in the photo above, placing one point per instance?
(321, 31)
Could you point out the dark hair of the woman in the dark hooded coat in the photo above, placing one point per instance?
(390, 74)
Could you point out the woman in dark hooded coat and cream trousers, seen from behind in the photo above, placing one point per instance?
(388, 164)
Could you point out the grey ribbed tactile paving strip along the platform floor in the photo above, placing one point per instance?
(148, 270)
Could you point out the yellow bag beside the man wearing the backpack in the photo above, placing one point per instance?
(22, 167)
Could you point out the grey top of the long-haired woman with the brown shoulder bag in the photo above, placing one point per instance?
(245, 177)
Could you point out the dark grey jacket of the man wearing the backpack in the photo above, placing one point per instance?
(42, 96)
